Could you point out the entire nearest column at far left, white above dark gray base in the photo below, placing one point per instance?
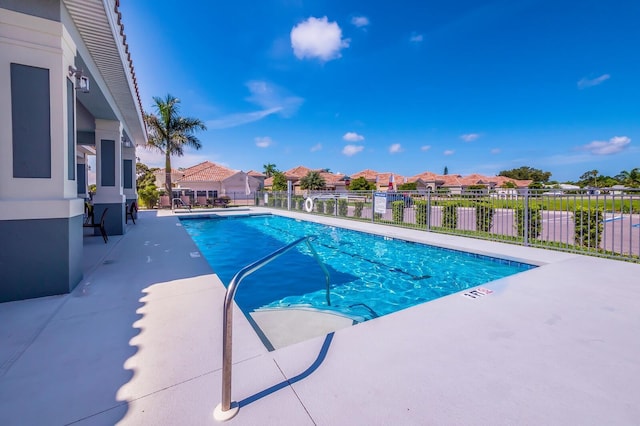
(40, 214)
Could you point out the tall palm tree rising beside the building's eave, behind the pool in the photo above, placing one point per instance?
(169, 133)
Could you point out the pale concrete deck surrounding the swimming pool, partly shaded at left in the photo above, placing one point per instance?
(139, 342)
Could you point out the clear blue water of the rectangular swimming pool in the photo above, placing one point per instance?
(370, 275)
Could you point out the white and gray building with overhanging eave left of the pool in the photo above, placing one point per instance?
(67, 91)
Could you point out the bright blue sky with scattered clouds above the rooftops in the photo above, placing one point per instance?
(402, 86)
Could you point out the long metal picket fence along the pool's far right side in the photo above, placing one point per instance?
(603, 222)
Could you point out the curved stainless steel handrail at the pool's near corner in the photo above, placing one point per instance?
(224, 411)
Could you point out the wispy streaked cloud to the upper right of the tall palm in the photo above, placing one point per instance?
(271, 98)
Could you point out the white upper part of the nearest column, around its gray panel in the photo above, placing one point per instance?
(36, 42)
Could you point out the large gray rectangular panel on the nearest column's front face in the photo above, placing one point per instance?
(31, 122)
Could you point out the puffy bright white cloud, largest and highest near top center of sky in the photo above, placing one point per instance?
(317, 38)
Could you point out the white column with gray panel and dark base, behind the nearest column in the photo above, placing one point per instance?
(109, 188)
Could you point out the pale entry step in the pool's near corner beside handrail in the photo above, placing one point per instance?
(286, 326)
